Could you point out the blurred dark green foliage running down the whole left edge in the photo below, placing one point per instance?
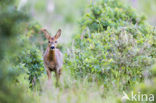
(11, 25)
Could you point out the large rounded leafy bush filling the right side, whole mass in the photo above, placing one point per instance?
(115, 45)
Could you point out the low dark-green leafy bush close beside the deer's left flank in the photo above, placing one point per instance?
(33, 64)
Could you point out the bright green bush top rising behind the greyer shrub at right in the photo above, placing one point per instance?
(110, 13)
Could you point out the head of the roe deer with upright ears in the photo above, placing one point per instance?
(52, 41)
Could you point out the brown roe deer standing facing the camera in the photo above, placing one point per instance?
(53, 58)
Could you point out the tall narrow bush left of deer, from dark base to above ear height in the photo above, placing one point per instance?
(29, 60)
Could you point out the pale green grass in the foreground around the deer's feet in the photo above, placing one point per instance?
(71, 90)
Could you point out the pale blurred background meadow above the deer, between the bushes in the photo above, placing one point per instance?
(54, 14)
